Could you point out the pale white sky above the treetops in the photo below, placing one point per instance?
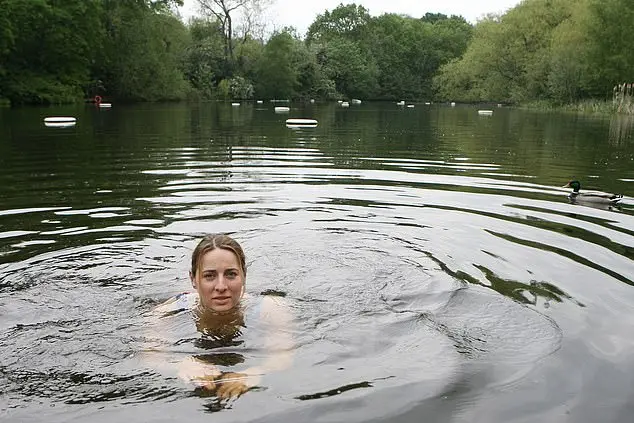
(301, 13)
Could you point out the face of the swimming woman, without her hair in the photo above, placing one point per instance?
(219, 280)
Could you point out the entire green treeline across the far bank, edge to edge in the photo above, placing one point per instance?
(139, 50)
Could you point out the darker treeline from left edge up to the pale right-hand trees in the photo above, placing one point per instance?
(66, 50)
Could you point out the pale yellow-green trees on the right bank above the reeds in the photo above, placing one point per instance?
(561, 51)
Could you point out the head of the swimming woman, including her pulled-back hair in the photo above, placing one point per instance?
(218, 272)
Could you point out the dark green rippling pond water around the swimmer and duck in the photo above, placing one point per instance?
(434, 265)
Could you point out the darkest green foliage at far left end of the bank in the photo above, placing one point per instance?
(46, 48)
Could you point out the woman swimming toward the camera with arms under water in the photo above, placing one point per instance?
(218, 274)
